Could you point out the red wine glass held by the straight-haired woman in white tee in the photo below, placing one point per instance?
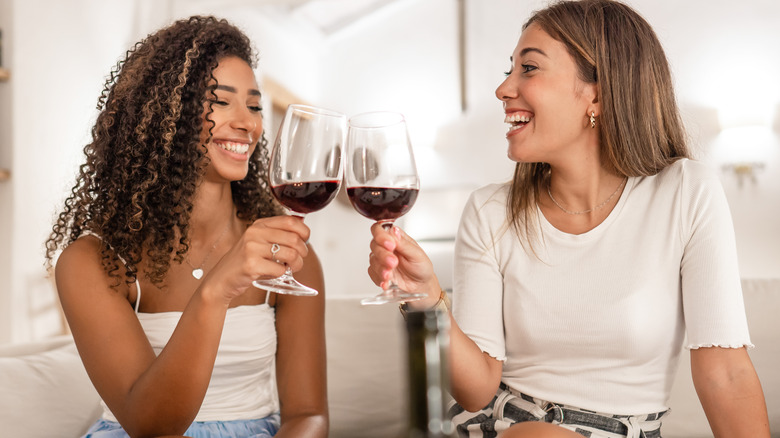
(381, 178)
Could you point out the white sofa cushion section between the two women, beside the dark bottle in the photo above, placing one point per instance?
(367, 376)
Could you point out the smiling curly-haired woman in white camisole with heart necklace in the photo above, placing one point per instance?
(168, 224)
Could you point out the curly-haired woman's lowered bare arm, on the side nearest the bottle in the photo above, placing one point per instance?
(300, 358)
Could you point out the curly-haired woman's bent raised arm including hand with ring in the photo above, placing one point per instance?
(149, 395)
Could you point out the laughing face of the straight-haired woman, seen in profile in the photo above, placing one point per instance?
(545, 102)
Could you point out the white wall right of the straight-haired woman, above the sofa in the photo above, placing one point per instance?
(724, 58)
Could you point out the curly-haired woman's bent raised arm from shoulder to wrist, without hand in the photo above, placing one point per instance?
(117, 354)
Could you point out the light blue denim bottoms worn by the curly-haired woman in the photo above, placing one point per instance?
(261, 428)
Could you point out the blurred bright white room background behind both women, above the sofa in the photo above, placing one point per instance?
(437, 61)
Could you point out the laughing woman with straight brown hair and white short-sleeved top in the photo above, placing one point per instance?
(578, 283)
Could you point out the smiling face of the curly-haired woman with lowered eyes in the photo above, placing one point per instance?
(237, 121)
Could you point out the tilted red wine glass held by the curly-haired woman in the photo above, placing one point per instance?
(305, 172)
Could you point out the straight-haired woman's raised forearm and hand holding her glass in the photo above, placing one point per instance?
(475, 375)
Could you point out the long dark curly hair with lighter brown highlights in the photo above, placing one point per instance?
(145, 160)
